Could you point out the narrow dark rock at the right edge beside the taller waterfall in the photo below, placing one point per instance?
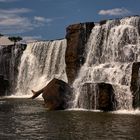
(135, 84)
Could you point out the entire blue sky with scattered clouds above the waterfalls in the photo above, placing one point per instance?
(47, 19)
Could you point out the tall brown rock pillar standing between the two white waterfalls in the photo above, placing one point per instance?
(77, 36)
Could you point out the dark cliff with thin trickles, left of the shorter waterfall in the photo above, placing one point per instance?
(9, 61)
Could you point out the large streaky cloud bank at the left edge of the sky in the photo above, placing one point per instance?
(11, 21)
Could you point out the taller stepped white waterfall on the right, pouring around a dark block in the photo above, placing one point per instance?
(111, 50)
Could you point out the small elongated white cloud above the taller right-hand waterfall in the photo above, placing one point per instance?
(114, 12)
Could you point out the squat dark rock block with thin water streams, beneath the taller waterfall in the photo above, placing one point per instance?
(99, 96)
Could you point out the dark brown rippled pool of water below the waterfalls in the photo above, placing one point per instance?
(24, 119)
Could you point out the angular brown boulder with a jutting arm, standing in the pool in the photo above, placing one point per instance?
(56, 95)
